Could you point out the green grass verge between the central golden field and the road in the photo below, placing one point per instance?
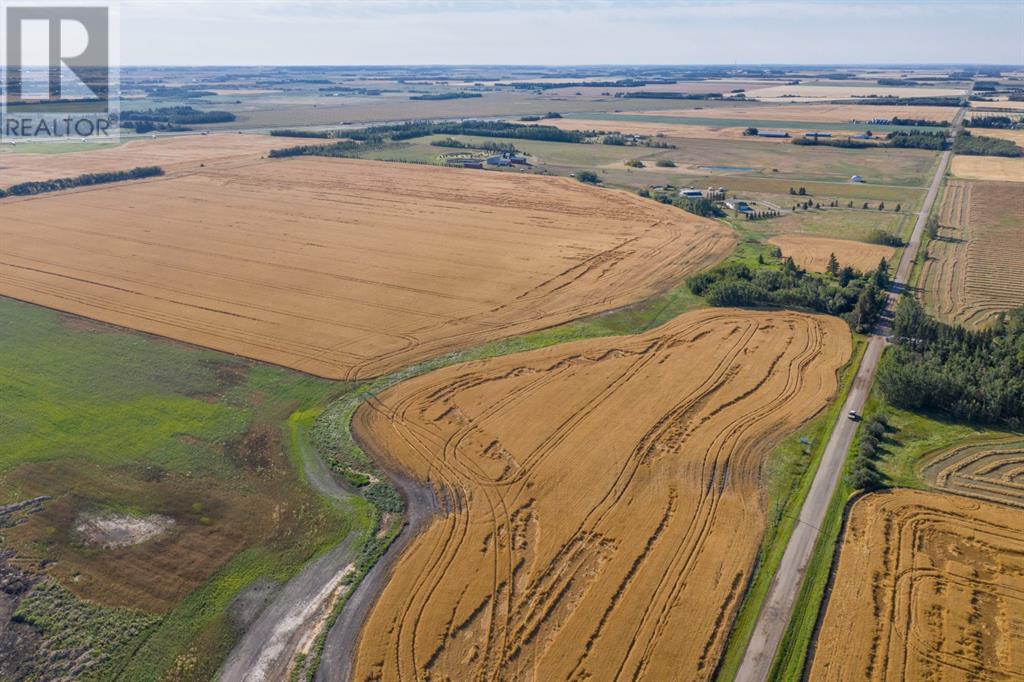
(792, 471)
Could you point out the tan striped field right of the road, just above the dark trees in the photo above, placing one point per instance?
(975, 269)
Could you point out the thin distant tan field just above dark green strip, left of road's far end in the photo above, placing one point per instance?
(825, 113)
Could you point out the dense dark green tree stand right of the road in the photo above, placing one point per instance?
(975, 376)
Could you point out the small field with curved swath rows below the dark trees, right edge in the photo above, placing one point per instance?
(993, 472)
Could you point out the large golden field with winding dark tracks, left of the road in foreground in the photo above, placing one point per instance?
(614, 538)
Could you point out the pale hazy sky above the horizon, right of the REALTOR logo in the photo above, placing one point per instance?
(542, 32)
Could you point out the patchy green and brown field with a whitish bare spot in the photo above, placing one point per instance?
(130, 435)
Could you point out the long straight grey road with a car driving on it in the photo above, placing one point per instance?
(778, 609)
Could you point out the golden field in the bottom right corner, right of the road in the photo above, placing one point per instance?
(929, 587)
